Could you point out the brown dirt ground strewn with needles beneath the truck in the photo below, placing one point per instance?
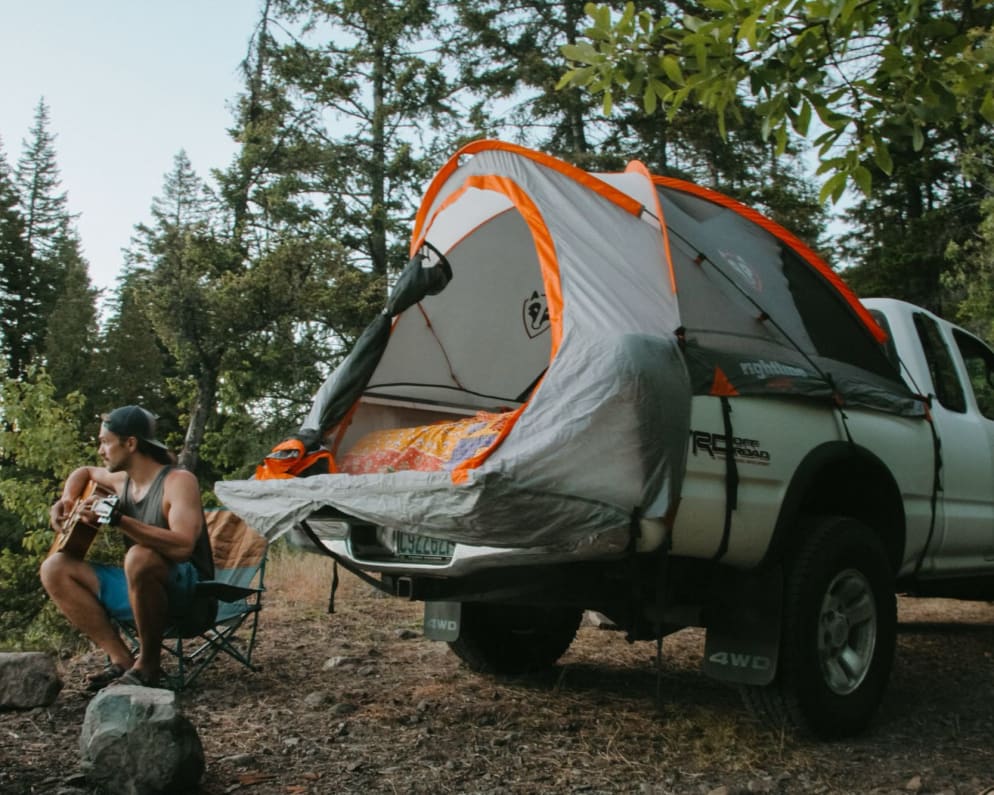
(359, 701)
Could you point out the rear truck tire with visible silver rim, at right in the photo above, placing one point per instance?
(838, 635)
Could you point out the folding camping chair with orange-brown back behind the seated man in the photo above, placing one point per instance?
(239, 568)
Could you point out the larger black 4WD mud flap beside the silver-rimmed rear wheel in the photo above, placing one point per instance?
(743, 627)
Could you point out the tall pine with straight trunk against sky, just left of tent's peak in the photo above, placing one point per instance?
(374, 70)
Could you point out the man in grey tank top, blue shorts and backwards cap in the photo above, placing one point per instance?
(168, 551)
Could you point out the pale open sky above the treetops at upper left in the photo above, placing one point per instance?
(128, 84)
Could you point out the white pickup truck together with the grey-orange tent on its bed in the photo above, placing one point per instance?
(642, 398)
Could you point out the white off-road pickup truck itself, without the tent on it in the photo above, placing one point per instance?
(798, 595)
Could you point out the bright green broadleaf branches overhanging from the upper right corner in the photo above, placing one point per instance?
(861, 78)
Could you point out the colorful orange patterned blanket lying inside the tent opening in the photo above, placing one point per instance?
(427, 448)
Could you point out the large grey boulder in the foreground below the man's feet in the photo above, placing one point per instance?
(135, 742)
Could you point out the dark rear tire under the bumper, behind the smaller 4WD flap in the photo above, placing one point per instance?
(514, 639)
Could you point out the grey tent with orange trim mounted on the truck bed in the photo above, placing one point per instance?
(529, 381)
